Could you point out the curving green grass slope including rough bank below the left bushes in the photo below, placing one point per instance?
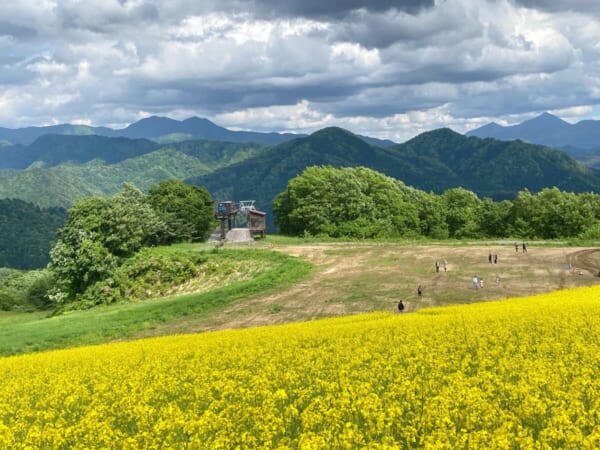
(245, 272)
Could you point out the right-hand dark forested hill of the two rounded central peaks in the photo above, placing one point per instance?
(493, 168)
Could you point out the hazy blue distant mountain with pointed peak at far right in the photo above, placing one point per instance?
(580, 140)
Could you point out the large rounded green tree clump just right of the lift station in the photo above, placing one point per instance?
(348, 202)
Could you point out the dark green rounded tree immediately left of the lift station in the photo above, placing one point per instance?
(186, 210)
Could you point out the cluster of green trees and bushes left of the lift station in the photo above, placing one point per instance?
(102, 233)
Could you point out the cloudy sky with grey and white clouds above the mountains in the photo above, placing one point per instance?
(388, 69)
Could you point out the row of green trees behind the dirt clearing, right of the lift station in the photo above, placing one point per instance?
(359, 202)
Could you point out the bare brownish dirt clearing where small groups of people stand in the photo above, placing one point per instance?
(356, 278)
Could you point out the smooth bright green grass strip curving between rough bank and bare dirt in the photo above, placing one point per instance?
(102, 324)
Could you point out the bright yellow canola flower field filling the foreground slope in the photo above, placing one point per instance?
(517, 373)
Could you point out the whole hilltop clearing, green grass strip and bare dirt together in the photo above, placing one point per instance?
(272, 283)
